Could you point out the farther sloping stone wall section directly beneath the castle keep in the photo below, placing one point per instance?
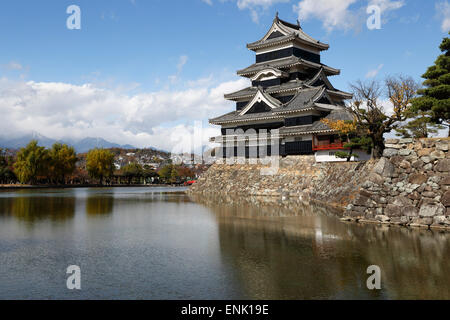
(297, 176)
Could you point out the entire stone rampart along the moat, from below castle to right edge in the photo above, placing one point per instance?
(408, 186)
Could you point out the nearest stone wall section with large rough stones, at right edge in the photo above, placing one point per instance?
(409, 186)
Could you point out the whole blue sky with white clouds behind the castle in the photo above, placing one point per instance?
(147, 72)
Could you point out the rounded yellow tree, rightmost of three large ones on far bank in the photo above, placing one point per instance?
(100, 164)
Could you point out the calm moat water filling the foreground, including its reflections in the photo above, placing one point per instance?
(146, 243)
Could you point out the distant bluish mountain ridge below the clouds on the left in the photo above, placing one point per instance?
(80, 146)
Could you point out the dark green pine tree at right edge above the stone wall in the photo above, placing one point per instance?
(435, 97)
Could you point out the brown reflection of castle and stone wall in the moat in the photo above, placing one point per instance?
(290, 250)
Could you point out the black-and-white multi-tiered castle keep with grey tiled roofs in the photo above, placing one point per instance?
(290, 92)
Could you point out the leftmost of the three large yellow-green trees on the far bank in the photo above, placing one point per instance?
(32, 161)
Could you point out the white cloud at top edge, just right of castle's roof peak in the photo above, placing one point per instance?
(341, 14)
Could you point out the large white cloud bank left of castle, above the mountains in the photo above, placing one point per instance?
(62, 110)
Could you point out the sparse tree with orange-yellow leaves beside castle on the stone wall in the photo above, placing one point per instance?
(370, 116)
